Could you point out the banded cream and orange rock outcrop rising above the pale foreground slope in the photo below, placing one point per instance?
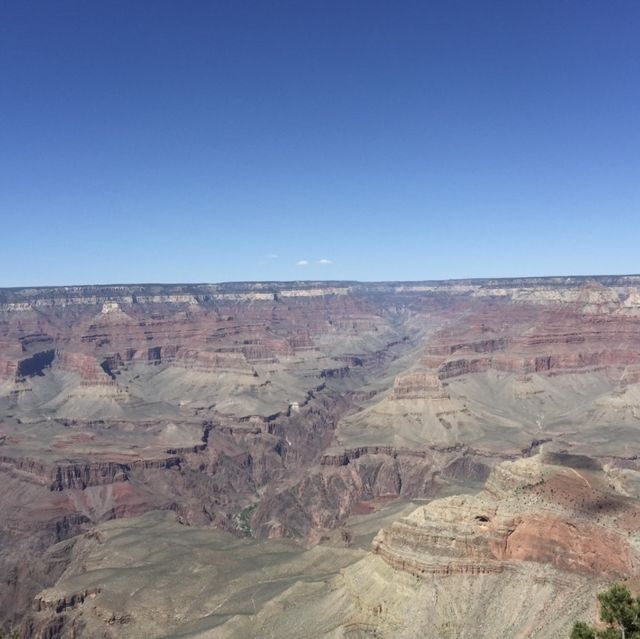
(539, 513)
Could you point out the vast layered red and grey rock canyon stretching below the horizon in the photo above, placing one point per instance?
(309, 459)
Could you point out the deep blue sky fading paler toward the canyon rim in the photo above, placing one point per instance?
(228, 140)
